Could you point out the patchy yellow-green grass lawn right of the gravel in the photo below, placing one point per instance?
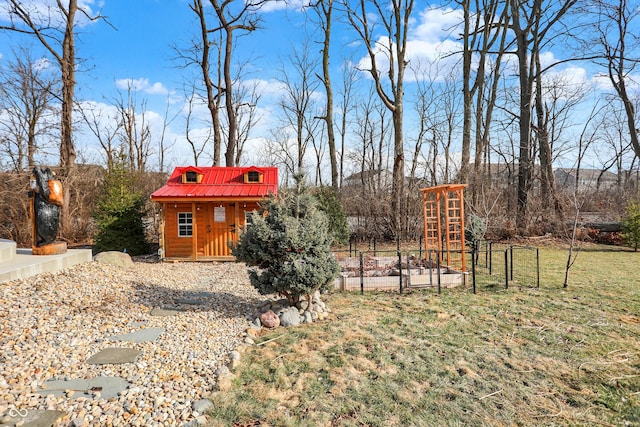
(548, 356)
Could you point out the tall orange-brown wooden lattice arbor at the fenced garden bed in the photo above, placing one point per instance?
(443, 207)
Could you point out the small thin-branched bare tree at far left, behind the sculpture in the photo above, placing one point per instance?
(26, 116)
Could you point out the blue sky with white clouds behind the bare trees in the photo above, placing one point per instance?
(137, 49)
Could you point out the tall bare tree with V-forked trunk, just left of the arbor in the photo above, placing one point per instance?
(390, 46)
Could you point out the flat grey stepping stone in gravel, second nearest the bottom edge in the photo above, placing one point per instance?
(108, 387)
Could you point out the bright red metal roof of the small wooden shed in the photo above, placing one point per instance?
(218, 182)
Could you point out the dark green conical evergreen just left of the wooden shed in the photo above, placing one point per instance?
(119, 212)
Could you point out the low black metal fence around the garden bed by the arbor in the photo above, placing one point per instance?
(489, 266)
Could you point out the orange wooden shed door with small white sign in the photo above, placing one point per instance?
(219, 229)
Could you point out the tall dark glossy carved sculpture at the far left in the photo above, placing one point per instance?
(46, 213)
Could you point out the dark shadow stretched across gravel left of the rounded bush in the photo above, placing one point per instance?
(171, 300)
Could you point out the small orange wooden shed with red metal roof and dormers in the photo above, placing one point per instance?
(203, 209)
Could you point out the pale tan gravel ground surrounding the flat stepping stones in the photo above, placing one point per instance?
(52, 323)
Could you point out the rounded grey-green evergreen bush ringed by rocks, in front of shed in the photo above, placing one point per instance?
(288, 246)
